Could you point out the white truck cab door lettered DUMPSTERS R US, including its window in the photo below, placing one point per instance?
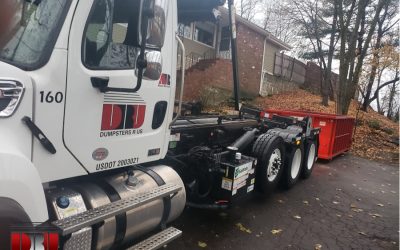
(105, 130)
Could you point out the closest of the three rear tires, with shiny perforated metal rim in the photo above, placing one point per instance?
(270, 152)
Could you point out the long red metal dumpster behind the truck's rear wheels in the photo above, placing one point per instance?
(336, 130)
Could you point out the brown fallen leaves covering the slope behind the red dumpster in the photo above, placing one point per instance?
(376, 136)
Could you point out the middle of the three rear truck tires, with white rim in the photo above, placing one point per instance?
(293, 166)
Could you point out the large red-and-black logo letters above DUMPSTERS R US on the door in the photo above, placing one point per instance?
(121, 116)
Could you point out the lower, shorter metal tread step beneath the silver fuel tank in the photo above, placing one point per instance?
(158, 240)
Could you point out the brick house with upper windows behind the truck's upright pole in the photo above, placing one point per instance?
(208, 55)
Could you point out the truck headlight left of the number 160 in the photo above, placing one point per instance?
(10, 96)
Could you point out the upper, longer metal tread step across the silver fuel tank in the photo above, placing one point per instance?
(97, 215)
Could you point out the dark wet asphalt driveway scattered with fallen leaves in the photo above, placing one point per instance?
(348, 203)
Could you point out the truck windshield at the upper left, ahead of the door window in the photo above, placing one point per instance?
(31, 45)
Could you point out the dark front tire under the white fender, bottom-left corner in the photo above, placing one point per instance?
(11, 214)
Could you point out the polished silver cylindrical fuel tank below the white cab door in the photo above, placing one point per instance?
(139, 221)
